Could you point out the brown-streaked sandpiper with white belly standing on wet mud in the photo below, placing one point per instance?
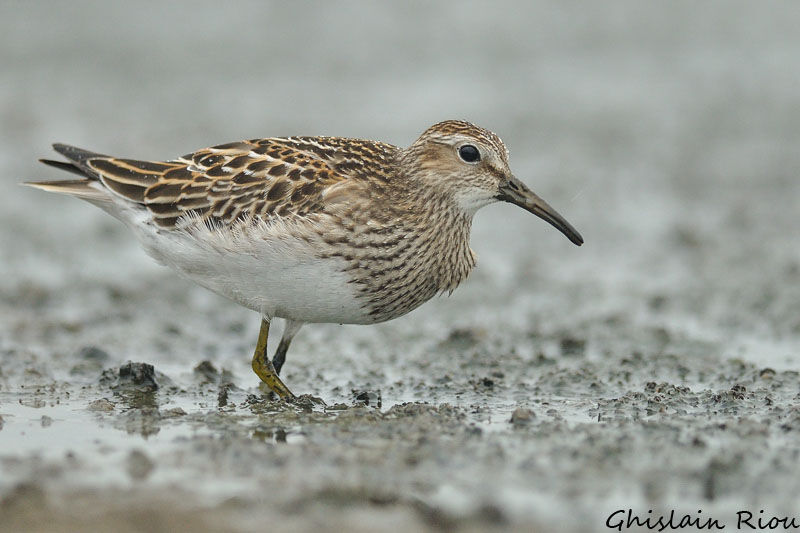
(311, 229)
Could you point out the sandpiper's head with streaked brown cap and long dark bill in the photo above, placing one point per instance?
(470, 165)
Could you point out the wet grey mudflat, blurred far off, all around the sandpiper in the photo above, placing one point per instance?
(667, 133)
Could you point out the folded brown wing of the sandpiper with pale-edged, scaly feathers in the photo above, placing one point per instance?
(258, 178)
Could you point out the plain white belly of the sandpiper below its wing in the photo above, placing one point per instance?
(266, 271)
